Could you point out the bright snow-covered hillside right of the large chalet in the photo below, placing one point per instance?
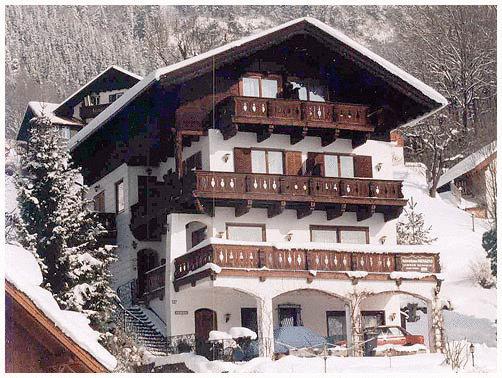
(457, 243)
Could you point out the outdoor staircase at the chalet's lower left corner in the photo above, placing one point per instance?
(140, 326)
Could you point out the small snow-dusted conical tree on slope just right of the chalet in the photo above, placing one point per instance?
(413, 230)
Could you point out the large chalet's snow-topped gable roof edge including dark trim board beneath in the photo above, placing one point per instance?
(228, 49)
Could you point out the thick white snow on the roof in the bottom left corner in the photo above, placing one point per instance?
(22, 271)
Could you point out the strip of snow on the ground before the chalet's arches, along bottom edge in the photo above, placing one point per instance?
(432, 363)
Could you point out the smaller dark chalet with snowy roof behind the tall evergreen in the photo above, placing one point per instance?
(81, 107)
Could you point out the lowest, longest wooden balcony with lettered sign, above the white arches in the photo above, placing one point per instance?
(267, 260)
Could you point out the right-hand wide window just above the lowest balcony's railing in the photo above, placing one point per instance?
(339, 234)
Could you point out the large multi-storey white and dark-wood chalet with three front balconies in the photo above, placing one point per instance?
(253, 186)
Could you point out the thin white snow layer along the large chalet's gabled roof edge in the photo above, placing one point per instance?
(148, 81)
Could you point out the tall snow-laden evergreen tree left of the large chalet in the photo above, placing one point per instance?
(58, 225)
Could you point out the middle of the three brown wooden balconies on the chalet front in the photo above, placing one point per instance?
(301, 193)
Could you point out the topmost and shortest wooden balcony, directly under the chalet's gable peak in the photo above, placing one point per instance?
(293, 117)
